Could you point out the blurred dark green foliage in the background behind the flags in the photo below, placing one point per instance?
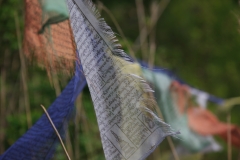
(198, 40)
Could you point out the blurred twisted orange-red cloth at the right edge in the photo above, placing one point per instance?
(203, 121)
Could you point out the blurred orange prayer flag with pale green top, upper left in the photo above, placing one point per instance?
(52, 45)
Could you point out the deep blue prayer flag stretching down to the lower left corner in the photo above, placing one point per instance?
(40, 141)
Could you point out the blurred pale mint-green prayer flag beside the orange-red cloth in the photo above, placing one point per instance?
(192, 141)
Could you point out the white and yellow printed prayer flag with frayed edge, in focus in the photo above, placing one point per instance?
(129, 127)
